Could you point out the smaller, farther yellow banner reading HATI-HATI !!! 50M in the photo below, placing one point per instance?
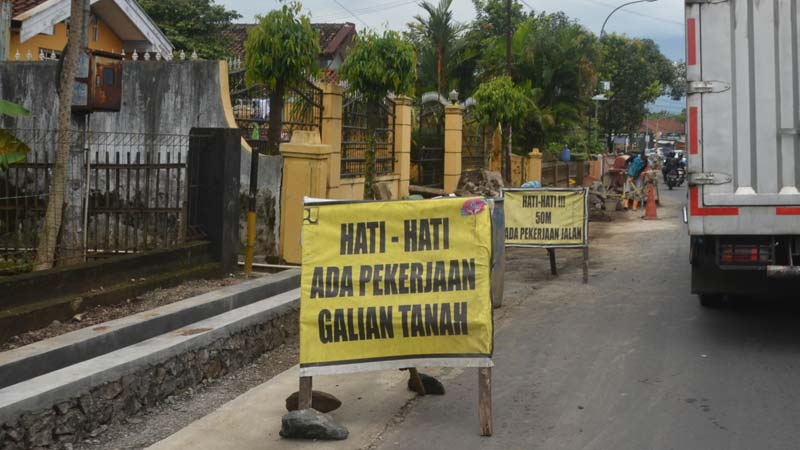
(546, 217)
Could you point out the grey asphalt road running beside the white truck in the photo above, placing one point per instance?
(629, 362)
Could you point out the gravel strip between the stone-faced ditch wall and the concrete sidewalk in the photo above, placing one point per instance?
(192, 404)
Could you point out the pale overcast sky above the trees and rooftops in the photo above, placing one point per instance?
(661, 20)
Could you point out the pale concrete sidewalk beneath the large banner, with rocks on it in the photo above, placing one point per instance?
(370, 402)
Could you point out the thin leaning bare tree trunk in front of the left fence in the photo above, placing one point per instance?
(46, 250)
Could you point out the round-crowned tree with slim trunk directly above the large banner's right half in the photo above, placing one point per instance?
(377, 65)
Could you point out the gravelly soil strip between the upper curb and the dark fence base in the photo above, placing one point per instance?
(100, 314)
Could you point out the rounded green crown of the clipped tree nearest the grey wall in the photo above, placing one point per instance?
(281, 48)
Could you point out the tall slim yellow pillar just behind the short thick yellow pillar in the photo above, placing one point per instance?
(332, 97)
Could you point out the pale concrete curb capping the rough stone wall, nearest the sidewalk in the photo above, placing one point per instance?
(71, 382)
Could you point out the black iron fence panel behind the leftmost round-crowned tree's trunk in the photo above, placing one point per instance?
(251, 109)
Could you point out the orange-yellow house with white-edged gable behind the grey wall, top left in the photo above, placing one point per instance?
(39, 26)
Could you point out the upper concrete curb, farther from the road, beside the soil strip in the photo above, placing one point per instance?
(62, 351)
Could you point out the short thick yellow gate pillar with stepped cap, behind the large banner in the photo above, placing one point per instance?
(305, 174)
